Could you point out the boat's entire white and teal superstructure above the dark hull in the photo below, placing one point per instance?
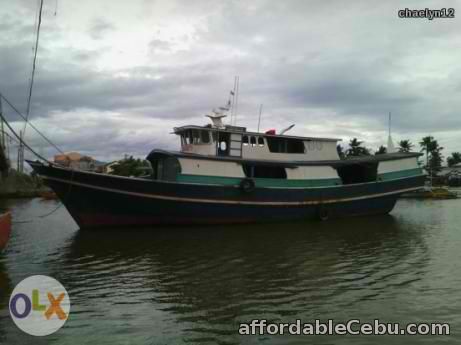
(227, 155)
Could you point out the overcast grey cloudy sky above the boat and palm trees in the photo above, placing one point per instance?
(114, 77)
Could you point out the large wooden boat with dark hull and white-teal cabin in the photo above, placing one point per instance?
(226, 174)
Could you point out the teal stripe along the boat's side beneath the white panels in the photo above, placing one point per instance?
(271, 182)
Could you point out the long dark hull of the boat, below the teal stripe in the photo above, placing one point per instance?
(100, 200)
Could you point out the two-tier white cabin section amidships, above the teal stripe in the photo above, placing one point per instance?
(232, 148)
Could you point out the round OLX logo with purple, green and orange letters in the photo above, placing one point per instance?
(39, 305)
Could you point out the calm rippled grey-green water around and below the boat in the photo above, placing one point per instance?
(195, 285)
